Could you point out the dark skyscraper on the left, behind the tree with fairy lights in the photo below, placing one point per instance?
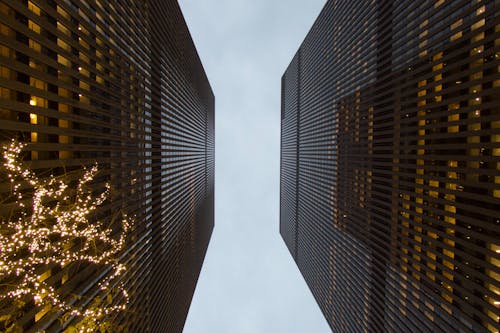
(118, 83)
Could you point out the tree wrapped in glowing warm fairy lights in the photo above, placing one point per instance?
(52, 231)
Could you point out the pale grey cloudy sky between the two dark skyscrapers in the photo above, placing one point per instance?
(249, 281)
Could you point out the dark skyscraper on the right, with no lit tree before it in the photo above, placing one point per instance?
(390, 165)
